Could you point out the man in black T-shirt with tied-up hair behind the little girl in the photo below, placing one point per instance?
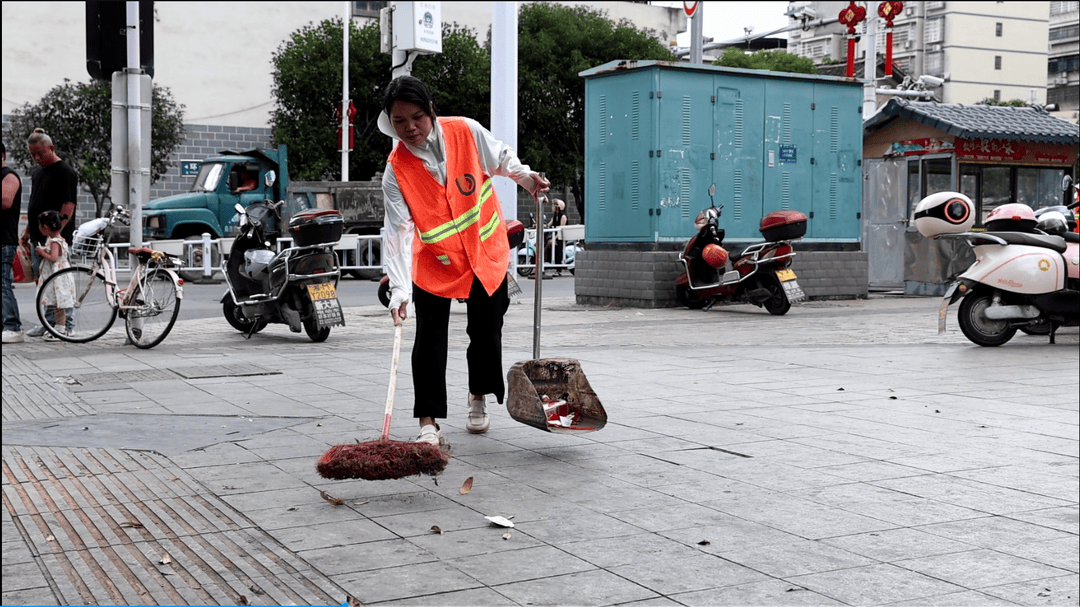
(53, 187)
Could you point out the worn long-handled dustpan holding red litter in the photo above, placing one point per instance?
(561, 381)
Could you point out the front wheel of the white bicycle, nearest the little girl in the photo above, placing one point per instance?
(92, 315)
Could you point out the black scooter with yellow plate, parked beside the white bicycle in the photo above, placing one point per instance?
(296, 287)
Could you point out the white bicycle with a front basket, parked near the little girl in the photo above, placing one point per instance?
(150, 305)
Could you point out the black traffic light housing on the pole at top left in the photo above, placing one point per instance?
(107, 38)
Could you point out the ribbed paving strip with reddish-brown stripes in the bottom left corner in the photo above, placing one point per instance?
(116, 528)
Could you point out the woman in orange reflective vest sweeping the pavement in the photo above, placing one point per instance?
(445, 240)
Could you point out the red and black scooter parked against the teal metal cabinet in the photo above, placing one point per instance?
(760, 274)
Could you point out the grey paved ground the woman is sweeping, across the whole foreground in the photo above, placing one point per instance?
(843, 455)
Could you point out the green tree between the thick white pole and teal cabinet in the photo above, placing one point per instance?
(556, 44)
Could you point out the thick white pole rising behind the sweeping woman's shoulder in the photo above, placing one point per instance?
(505, 95)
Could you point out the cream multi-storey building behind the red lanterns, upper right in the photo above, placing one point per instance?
(982, 50)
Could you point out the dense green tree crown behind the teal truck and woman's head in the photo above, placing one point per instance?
(307, 89)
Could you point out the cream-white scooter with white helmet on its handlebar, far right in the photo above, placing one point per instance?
(1027, 274)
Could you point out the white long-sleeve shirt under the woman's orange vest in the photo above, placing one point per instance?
(496, 158)
